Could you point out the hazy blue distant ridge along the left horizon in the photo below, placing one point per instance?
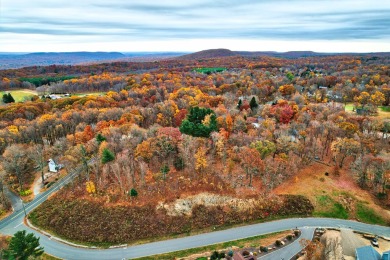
(11, 60)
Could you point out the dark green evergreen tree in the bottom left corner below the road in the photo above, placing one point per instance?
(22, 246)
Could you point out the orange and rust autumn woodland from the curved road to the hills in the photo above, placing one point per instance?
(179, 145)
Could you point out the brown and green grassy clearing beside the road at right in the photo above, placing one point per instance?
(336, 197)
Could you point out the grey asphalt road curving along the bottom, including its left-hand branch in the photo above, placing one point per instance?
(14, 223)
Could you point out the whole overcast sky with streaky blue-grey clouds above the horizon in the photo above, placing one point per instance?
(193, 25)
